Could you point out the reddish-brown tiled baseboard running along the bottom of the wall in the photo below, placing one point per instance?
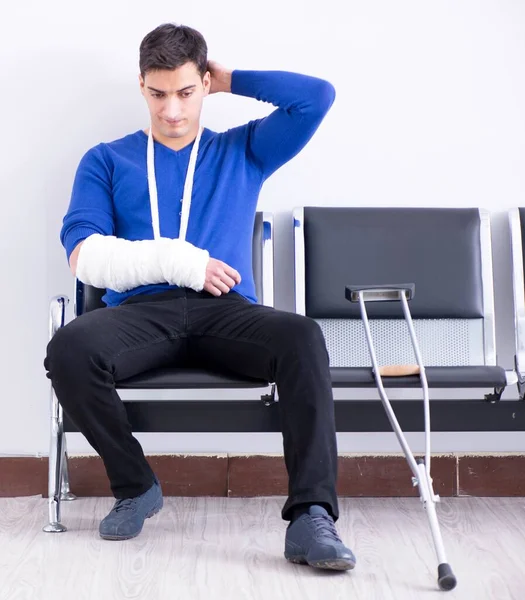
(265, 475)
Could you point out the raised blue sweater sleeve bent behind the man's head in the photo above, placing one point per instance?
(302, 102)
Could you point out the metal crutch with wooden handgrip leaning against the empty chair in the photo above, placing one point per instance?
(420, 468)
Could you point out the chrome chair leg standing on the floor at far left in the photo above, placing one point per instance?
(56, 451)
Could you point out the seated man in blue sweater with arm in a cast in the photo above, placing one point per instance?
(163, 219)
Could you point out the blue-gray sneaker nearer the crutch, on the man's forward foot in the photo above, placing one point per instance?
(313, 539)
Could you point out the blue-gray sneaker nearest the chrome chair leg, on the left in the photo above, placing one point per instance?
(127, 516)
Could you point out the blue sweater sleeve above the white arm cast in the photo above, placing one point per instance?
(91, 206)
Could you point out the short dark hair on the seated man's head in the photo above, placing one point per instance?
(170, 46)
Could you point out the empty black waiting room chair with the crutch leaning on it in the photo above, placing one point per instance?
(445, 252)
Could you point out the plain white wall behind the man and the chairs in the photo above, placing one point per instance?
(429, 112)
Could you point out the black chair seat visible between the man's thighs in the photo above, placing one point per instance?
(189, 378)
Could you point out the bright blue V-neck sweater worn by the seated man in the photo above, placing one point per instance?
(110, 191)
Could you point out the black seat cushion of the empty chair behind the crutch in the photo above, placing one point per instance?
(437, 377)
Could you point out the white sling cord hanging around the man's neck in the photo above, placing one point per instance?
(188, 187)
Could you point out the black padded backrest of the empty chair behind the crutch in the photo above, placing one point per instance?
(437, 249)
